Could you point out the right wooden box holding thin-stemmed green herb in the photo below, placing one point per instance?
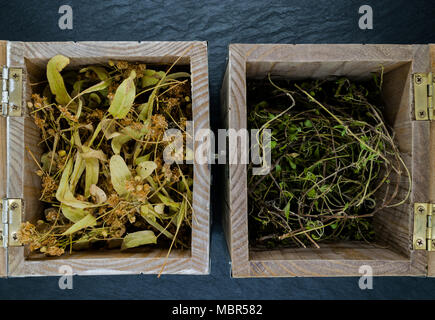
(395, 231)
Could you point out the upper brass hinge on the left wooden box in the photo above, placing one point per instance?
(12, 92)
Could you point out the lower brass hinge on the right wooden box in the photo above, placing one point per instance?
(424, 225)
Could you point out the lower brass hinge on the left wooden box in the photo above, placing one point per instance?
(11, 221)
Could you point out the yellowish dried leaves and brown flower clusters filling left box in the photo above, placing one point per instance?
(104, 181)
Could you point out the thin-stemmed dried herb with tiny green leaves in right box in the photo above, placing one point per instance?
(334, 161)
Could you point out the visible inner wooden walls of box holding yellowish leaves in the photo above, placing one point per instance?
(34, 72)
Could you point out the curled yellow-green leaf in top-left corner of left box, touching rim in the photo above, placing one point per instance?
(55, 80)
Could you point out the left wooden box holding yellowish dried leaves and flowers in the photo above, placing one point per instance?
(17, 169)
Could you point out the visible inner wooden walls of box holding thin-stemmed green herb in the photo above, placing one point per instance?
(392, 225)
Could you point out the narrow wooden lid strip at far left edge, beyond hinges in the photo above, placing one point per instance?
(3, 159)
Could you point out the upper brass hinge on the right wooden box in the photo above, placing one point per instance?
(423, 96)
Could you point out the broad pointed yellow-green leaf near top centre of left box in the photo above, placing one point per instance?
(124, 97)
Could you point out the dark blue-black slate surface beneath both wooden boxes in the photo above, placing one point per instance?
(220, 23)
